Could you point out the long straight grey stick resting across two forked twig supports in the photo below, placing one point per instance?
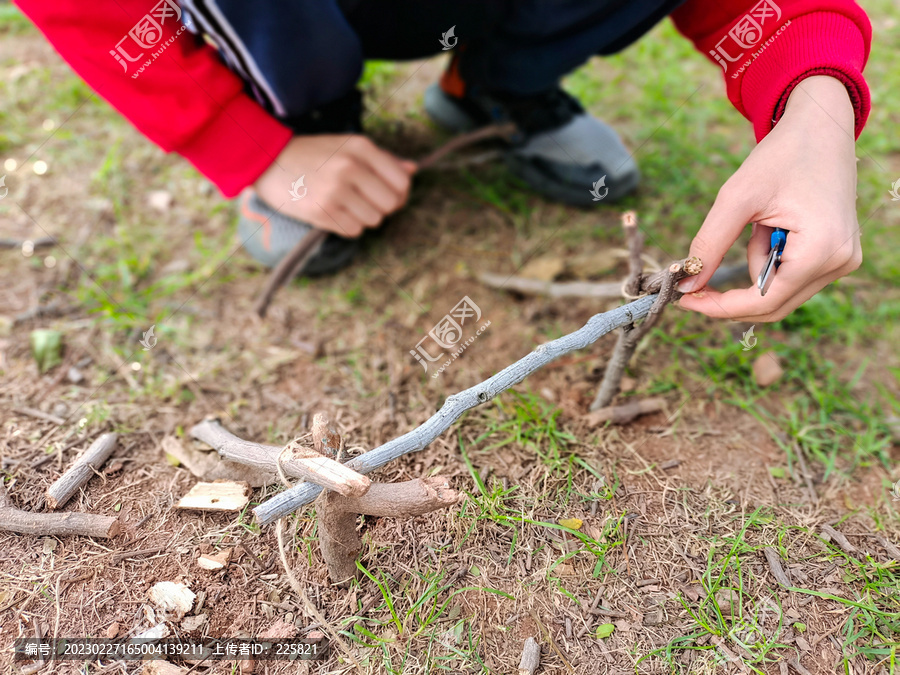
(597, 326)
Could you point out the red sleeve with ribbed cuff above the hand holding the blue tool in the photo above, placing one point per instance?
(767, 47)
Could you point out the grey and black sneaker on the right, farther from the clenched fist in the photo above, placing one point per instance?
(562, 151)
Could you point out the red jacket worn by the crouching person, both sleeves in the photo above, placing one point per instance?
(190, 103)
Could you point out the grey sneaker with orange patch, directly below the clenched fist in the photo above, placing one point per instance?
(268, 235)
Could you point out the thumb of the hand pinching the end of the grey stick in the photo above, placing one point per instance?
(724, 223)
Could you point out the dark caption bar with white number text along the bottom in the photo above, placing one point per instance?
(141, 649)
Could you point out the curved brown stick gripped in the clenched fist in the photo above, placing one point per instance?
(306, 248)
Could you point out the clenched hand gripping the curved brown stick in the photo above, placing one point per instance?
(350, 183)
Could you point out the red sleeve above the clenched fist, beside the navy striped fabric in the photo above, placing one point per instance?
(174, 90)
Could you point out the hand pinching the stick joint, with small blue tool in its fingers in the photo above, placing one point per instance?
(801, 177)
